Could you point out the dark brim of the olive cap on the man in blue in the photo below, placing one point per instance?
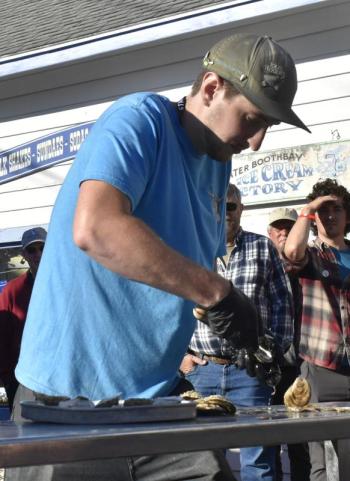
(275, 110)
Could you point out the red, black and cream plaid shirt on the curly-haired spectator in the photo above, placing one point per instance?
(325, 329)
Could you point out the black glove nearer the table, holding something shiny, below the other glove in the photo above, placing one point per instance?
(263, 362)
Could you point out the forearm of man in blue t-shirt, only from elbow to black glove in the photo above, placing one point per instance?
(140, 255)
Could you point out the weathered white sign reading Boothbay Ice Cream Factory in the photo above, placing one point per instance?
(289, 174)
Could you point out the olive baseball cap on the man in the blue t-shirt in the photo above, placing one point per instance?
(261, 70)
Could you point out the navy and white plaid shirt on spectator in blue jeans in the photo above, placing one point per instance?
(254, 267)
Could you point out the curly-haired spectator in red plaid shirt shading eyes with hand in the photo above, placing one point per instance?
(324, 272)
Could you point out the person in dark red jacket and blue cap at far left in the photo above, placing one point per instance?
(14, 302)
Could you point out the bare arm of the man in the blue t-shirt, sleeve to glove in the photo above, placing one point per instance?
(126, 245)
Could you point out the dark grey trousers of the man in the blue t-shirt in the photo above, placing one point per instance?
(196, 466)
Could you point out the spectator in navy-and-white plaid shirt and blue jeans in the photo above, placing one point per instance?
(253, 264)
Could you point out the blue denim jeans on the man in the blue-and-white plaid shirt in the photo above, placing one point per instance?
(257, 463)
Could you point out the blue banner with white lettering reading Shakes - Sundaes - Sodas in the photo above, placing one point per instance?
(42, 153)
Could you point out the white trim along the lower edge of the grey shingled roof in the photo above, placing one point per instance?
(217, 17)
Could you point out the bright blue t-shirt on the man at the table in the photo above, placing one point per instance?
(90, 331)
